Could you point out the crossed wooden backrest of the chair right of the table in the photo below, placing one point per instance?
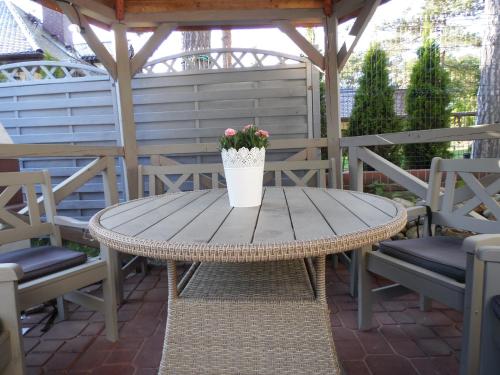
(469, 183)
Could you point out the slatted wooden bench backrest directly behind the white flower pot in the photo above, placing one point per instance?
(173, 178)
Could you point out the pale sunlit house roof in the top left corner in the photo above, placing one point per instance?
(22, 37)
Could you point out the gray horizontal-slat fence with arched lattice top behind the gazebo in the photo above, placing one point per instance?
(185, 98)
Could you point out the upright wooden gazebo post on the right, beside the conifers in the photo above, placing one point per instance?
(332, 96)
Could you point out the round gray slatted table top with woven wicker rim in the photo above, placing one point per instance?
(292, 222)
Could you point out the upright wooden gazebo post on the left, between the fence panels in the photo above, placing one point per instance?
(126, 109)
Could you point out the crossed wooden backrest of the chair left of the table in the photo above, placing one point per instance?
(13, 227)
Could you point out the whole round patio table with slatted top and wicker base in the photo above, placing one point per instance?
(254, 300)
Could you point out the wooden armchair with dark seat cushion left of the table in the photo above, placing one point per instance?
(32, 276)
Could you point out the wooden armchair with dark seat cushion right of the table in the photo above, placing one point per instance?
(463, 274)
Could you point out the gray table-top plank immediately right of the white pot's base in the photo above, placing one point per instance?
(274, 223)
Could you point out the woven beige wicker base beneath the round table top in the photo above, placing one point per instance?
(249, 318)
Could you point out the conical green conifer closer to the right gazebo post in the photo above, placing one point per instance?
(373, 111)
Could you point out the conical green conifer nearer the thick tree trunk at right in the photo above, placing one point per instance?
(427, 105)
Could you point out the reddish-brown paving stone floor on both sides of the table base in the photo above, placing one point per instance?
(407, 341)
